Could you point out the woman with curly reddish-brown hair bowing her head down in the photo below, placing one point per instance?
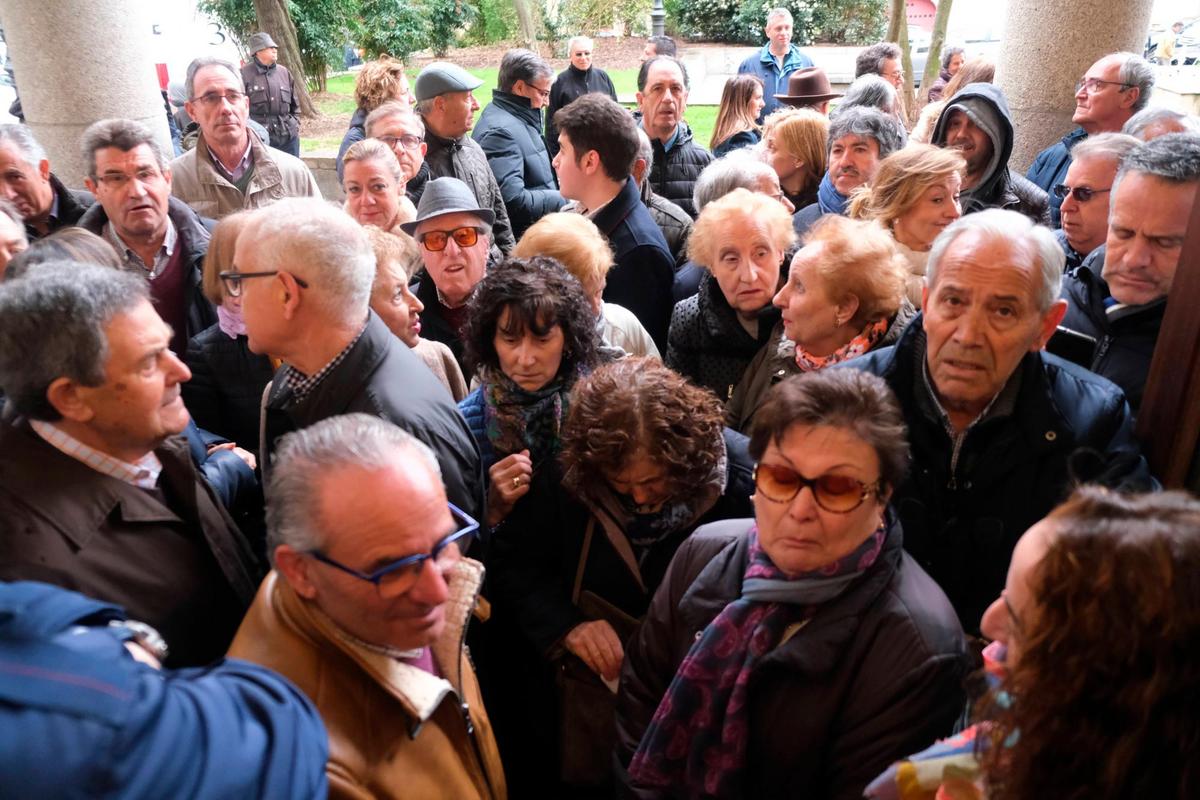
(645, 461)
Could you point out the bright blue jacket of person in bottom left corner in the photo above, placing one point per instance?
(81, 719)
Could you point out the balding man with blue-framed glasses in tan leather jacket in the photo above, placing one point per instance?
(367, 610)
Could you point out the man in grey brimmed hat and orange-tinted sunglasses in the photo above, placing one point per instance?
(453, 232)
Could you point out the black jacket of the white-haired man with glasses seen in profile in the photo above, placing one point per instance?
(381, 376)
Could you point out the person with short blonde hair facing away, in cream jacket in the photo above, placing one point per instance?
(575, 243)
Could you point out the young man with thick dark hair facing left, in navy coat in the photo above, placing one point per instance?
(599, 143)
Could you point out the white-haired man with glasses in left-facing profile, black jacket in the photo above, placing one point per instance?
(304, 273)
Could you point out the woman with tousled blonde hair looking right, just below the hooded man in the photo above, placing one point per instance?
(915, 195)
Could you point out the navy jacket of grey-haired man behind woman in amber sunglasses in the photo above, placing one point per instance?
(964, 507)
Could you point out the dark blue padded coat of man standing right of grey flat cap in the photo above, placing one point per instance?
(509, 131)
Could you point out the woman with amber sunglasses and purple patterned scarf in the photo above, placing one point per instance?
(795, 654)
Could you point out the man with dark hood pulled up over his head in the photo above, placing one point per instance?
(979, 124)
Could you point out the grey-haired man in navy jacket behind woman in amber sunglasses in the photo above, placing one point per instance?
(1000, 430)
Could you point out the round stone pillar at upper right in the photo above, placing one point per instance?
(1048, 46)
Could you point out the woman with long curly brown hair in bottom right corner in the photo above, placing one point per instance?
(1094, 663)
